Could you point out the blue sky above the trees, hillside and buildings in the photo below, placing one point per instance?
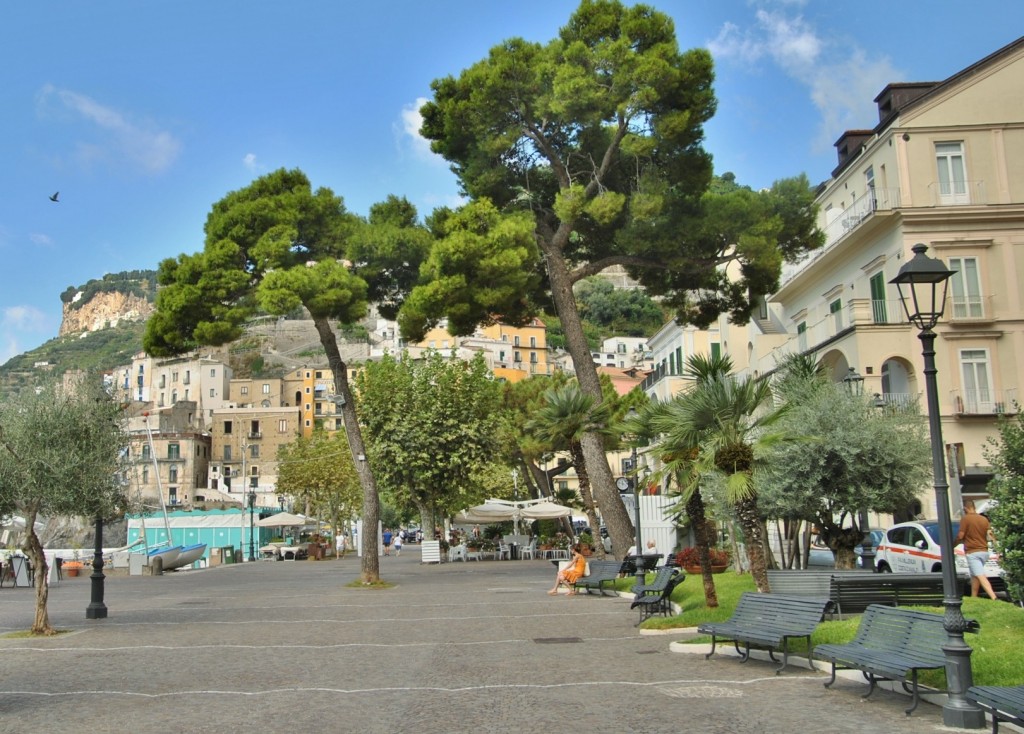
(145, 114)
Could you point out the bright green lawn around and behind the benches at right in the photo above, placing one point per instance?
(996, 661)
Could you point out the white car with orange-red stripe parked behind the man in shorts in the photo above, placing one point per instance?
(914, 548)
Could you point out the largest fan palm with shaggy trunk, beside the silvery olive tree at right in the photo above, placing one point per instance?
(726, 422)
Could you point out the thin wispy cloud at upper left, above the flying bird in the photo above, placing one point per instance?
(141, 144)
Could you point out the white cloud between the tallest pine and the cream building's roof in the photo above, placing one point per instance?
(840, 79)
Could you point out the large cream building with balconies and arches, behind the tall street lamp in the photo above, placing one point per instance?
(943, 167)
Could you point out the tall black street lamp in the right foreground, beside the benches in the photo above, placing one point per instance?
(925, 300)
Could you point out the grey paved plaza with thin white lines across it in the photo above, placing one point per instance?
(467, 647)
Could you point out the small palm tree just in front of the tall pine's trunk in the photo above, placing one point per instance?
(567, 415)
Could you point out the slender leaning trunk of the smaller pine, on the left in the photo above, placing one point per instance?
(371, 501)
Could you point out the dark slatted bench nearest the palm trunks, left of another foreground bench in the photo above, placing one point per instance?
(769, 621)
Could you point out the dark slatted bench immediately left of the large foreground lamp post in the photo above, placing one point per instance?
(891, 644)
